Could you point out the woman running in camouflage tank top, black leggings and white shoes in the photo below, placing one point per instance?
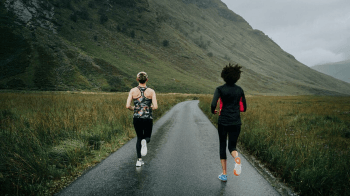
(144, 102)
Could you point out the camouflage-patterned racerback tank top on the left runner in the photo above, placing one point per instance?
(142, 105)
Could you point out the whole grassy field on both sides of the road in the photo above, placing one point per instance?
(49, 138)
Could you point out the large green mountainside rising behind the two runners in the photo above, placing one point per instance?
(101, 45)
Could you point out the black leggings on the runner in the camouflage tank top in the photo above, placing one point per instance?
(143, 128)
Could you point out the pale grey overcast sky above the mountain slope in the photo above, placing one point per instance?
(314, 31)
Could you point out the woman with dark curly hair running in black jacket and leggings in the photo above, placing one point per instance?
(229, 121)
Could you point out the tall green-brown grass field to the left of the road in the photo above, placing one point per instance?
(48, 138)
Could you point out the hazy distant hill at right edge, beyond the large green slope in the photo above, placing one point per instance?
(339, 70)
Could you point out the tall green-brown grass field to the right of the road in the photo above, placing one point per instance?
(305, 140)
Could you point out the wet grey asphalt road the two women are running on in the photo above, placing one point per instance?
(183, 159)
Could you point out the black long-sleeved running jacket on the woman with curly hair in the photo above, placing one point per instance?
(230, 96)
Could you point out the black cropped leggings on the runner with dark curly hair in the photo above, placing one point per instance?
(233, 133)
